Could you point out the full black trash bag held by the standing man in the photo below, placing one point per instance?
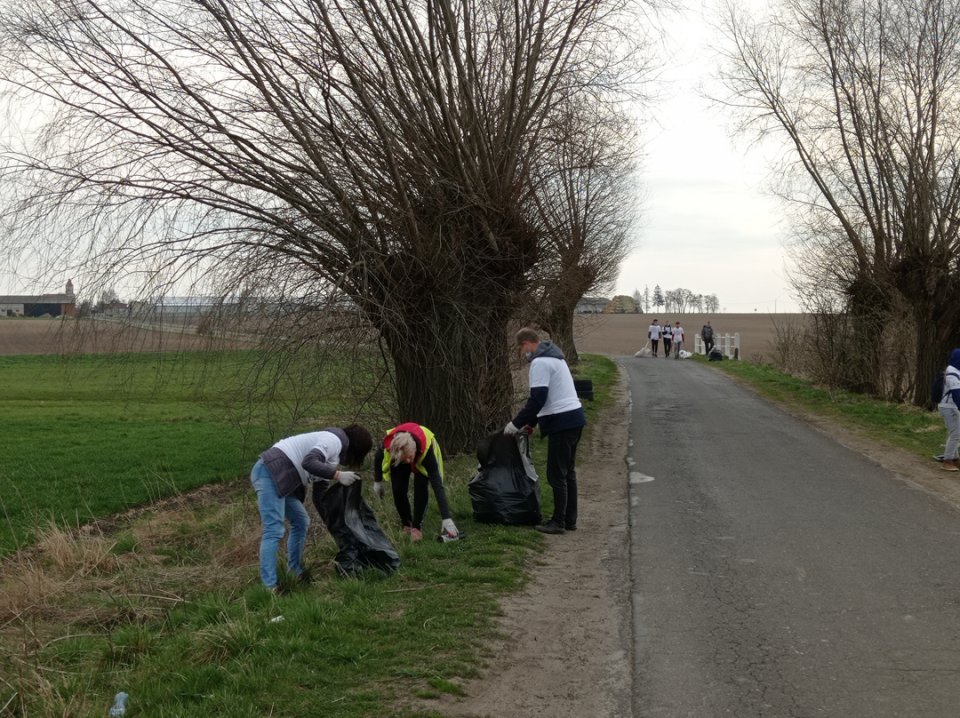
(505, 489)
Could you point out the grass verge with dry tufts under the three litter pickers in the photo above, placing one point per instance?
(163, 602)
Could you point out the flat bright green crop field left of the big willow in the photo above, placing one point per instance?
(92, 435)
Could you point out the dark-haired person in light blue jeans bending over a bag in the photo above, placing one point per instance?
(280, 477)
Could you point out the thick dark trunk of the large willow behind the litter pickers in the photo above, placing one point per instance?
(445, 329)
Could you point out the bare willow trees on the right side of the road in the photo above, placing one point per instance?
(865, 92)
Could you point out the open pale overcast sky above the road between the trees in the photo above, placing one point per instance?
(707, 223)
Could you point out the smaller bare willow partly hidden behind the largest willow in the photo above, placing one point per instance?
(585, 207)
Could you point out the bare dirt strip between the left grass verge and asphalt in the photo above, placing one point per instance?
(567, 646)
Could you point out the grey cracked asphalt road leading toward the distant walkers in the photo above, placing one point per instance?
(775, 572)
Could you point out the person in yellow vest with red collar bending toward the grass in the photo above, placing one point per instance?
(412, 450)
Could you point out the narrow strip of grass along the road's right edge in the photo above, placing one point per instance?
(899, 425)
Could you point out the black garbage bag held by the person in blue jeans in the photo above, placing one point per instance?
(355, 529)
